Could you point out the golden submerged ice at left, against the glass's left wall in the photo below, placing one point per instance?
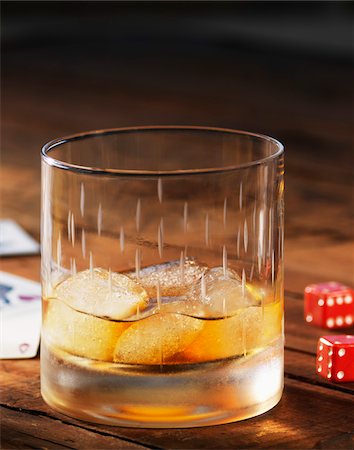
(79, 333)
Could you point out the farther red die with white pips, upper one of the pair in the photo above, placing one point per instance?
(329, 305)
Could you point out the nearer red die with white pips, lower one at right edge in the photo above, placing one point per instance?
(335, 357)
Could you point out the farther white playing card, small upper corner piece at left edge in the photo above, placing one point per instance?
(15, 241)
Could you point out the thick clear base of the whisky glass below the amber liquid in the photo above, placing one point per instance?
(178, 396)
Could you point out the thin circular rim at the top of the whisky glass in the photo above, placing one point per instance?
(133, 172)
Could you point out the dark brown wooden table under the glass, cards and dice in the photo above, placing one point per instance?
(304, 103)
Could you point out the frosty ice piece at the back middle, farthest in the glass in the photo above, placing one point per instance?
(174, 278)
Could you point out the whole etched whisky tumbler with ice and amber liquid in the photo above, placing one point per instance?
(162, 275)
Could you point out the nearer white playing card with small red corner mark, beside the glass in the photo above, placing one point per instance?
(20, 316)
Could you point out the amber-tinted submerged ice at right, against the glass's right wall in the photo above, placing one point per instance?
(247, 330)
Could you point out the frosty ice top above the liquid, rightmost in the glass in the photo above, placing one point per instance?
(221, 292)
